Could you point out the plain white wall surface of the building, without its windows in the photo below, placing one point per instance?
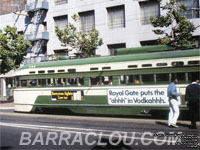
(131, 35)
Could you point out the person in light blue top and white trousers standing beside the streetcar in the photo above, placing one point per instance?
(173, 103)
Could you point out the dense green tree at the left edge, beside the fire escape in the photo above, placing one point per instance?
(13, 48)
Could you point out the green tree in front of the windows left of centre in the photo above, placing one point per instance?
(85, 43)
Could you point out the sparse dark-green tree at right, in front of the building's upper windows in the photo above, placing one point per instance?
(174, 28)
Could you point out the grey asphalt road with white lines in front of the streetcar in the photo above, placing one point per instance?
(50, 131)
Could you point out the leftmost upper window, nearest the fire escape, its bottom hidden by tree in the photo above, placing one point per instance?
(61, 22)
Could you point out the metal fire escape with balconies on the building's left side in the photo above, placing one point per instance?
(37, 35)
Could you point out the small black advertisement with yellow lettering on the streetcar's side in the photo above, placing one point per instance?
(67, 95)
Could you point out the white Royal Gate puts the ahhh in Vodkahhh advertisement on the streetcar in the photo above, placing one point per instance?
(140, 96)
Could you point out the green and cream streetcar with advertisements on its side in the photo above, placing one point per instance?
(124, 84)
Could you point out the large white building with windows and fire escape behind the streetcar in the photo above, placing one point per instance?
(121, 23)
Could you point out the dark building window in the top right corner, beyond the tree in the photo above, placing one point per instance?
(193, 10)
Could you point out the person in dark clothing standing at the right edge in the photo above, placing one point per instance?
(192, 97)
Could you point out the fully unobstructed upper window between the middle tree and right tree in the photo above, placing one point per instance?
(116, 17)
